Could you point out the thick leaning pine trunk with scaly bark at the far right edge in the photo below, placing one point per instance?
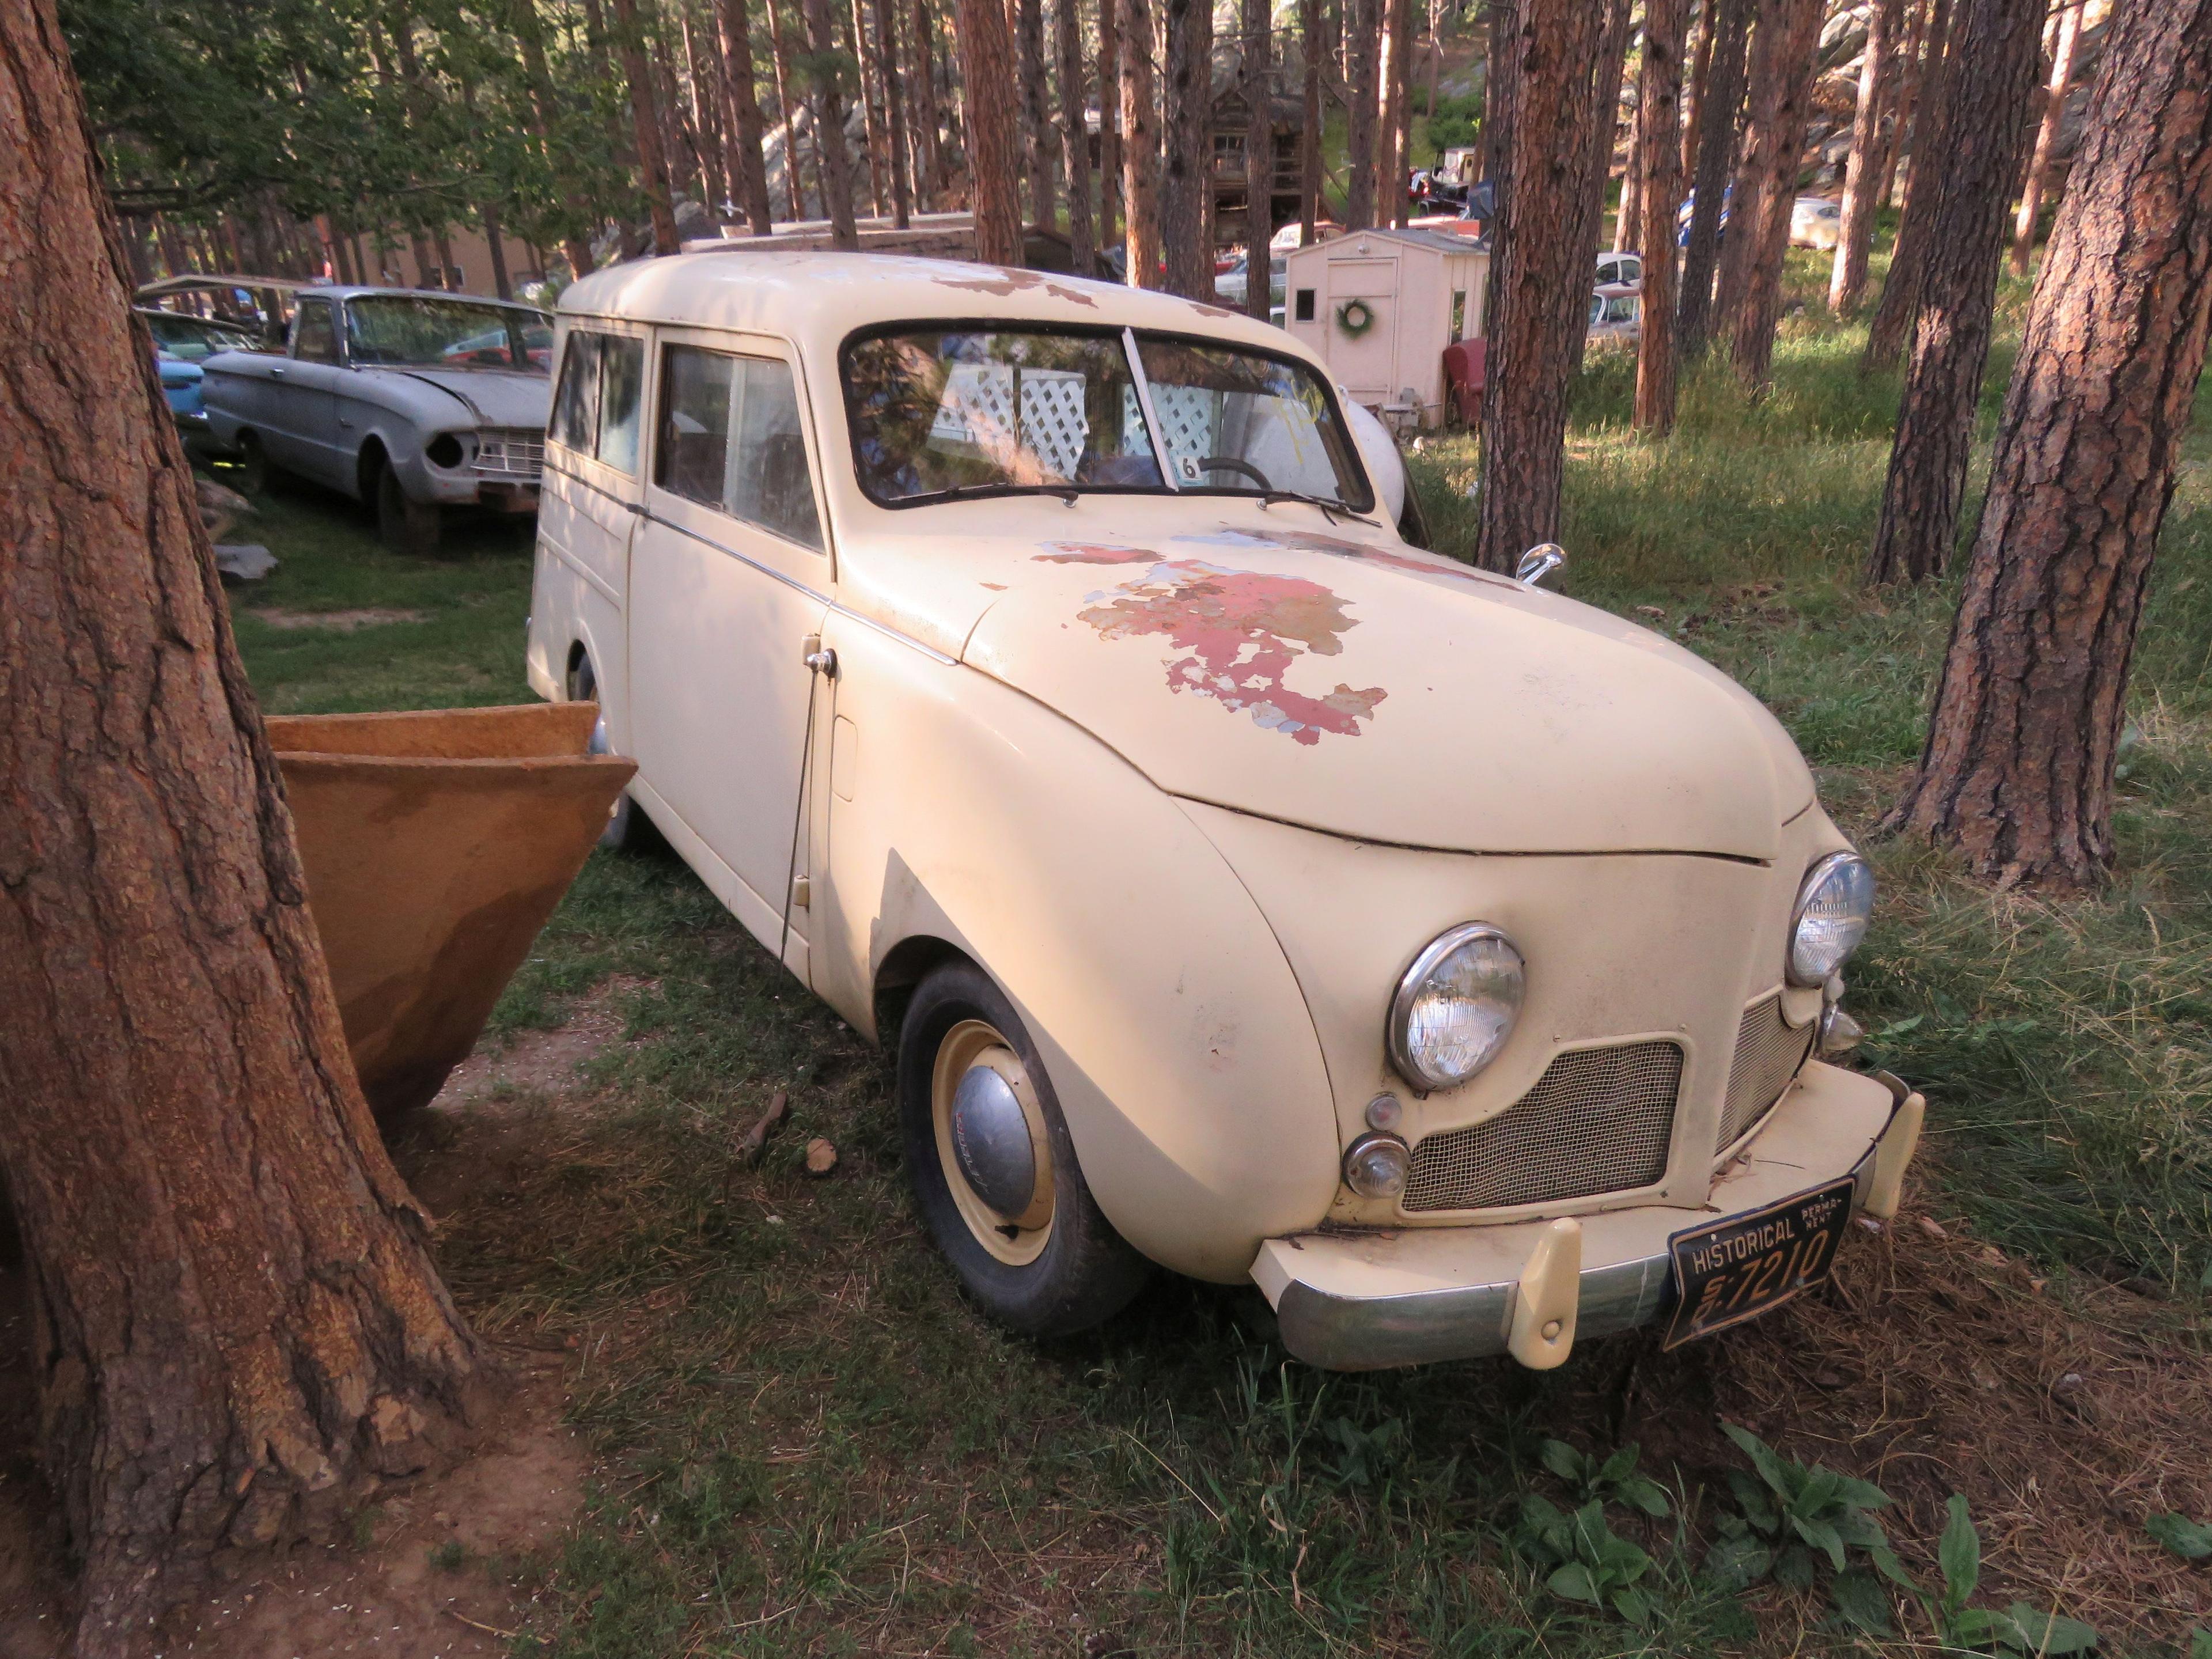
(2018, 764)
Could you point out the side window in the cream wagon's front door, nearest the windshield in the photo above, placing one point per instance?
(731, 441)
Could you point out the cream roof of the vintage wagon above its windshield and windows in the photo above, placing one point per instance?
(824, 298)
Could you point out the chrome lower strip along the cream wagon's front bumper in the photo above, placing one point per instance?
(1472, 1322)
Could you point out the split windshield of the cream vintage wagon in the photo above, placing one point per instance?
(992, 410)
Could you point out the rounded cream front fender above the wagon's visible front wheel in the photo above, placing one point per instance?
(1160, 1001)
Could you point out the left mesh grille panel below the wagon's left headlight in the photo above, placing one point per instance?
(1598, 1120)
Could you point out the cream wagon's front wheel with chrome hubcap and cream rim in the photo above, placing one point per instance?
(994, 1169)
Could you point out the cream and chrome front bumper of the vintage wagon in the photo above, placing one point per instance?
(1366, 1302)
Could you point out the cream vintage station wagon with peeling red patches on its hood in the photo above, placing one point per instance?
(1041, 671)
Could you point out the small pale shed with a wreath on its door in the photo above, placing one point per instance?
(1381, 306)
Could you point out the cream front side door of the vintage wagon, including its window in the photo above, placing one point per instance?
(729, 581)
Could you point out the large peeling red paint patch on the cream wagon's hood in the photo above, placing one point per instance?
(1240, 634)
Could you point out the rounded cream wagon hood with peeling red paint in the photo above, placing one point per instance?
(1381, 693)
